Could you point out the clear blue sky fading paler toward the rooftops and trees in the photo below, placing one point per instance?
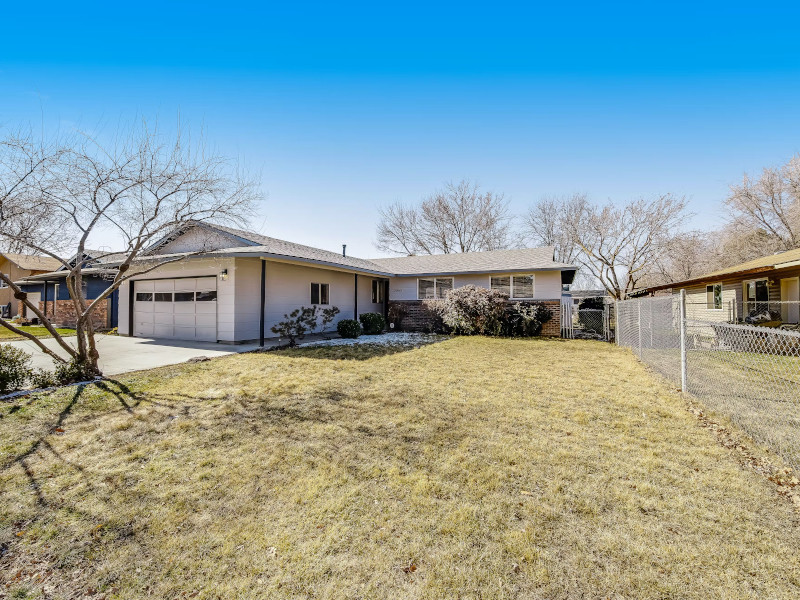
(344, 108)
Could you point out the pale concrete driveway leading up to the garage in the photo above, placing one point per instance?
(123, 354)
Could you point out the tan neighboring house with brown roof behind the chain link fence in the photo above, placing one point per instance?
(770, 284)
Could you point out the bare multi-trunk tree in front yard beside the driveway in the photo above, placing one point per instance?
(57, 195)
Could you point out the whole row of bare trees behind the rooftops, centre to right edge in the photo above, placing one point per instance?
(621, 247)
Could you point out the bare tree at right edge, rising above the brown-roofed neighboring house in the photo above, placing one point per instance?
(770, 203)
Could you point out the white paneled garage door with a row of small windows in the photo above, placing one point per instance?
(180, 309)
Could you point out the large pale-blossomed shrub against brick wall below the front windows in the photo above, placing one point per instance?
(473, 310)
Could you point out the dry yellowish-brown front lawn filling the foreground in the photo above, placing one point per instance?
(473, 468)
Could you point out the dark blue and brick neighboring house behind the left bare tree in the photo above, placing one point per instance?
(50, 291)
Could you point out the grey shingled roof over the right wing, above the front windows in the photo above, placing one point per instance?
(526, 259)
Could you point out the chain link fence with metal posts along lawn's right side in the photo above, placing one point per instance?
(749, 373)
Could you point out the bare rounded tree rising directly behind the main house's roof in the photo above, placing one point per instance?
(458, 218)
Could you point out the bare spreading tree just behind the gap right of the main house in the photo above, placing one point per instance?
(617, 245)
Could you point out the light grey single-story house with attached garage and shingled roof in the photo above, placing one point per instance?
(232, 286)
